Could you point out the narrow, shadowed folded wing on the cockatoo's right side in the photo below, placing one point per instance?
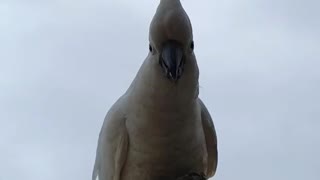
(211, 140)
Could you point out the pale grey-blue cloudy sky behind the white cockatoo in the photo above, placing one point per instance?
(64, 62)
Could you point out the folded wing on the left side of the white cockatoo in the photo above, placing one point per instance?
(112, 147)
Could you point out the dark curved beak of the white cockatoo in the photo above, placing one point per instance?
(171, 60)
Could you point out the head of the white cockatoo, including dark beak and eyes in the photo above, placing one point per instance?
(171, 40)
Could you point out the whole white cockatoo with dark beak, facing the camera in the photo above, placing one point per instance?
(159, 129)
